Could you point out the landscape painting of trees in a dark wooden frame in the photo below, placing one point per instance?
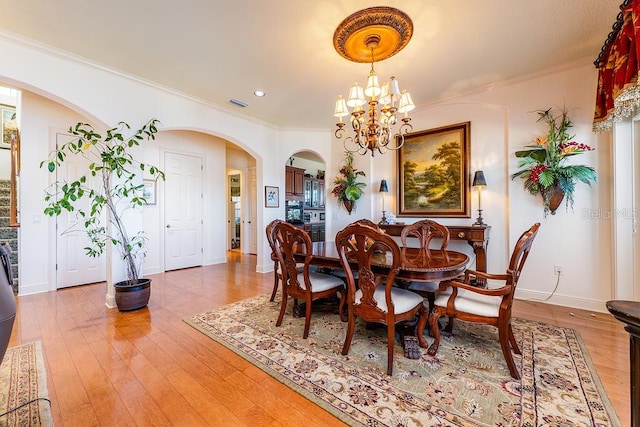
(433, 173)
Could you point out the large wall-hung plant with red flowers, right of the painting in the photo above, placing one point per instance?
(544, 166)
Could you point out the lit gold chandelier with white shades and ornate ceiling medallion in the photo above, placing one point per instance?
(367, 35)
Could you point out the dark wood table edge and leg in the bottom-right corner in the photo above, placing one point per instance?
(628, 312)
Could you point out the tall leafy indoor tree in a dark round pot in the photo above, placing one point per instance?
(112, 184)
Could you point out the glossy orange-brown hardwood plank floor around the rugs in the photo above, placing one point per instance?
(148, 368)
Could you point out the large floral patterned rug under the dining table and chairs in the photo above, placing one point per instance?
(466, 384)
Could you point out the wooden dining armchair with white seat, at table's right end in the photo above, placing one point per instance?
(491, 305)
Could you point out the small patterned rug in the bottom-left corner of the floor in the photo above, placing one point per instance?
(23, 387)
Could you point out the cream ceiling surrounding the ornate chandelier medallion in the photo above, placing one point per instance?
(216, 50)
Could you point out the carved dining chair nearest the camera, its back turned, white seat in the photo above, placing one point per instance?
(380, 303)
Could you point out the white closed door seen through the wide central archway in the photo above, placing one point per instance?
(183, 211)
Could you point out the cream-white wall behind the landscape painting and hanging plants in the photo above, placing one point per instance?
(503, 120)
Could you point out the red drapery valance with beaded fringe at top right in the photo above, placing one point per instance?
(618, 93)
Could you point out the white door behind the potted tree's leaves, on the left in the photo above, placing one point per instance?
(73, 266)
